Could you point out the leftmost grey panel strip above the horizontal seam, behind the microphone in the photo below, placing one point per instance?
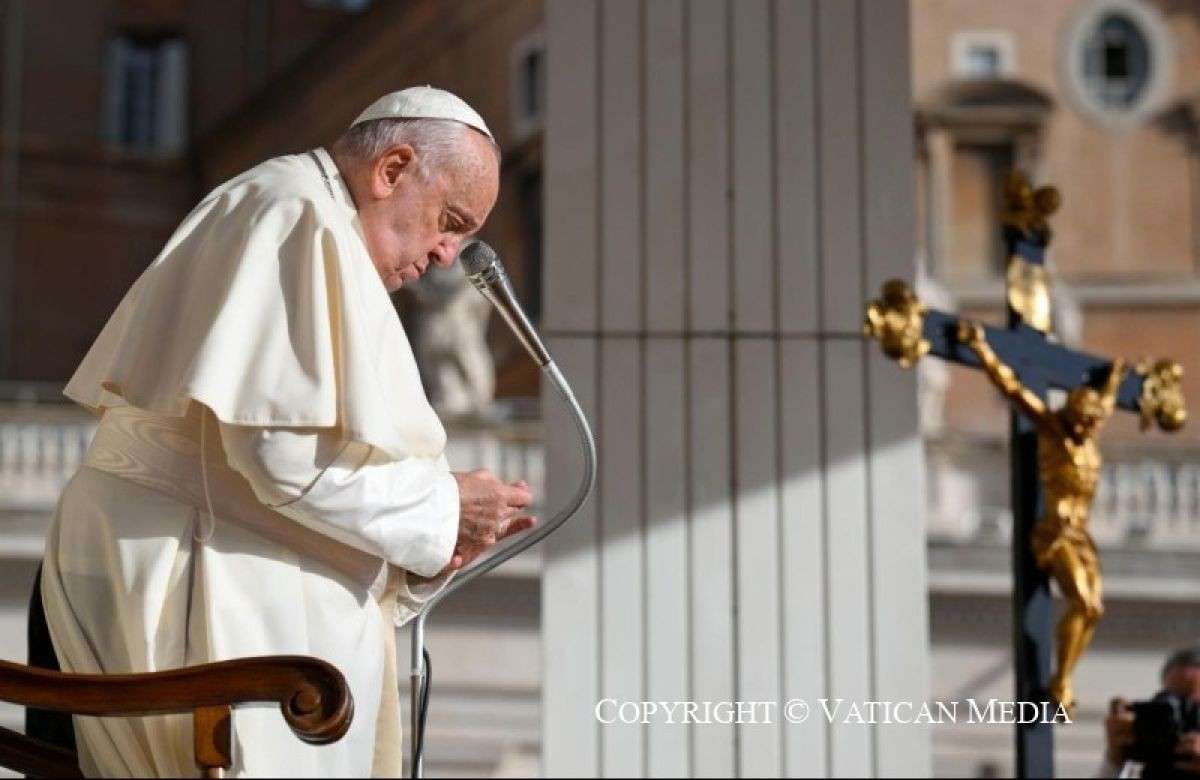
(571, 271)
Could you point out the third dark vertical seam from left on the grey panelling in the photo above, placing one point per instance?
(686, 349)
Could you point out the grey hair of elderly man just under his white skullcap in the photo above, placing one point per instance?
(440, 143)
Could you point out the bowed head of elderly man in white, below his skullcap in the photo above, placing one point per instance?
(422, 187)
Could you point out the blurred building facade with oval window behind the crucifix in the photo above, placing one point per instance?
(1100, 99)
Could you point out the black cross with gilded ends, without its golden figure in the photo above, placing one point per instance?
(1040, 364)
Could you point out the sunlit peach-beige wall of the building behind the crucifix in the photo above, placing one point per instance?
(1127, 236)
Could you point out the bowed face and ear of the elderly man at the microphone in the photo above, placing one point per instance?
(412, 220)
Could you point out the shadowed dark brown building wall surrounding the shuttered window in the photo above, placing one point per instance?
(86, 219)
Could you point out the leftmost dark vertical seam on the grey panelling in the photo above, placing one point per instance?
(598, 361)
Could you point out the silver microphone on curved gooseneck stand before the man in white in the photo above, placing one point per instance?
(488, 275)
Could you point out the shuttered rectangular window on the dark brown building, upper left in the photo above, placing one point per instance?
(146, 94)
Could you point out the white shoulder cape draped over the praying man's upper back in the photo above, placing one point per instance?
(266, 308)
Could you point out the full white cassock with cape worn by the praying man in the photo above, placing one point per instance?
(259, 369)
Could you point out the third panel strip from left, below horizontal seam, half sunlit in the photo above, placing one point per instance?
(667, 553)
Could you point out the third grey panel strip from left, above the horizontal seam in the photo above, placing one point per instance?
(665, 206)
